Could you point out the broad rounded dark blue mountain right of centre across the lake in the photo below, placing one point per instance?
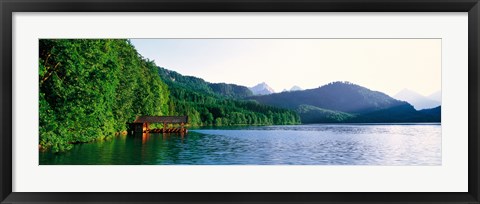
(345, 102)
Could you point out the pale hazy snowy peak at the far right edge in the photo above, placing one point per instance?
(417, 100)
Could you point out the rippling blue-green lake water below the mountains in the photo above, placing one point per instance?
(316, 144)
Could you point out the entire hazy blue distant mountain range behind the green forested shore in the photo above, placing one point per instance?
(336, 102)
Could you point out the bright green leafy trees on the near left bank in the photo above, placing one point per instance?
(90, 89)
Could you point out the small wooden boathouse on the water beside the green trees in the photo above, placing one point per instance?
(142, 123)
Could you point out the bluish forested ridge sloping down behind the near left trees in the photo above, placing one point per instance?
(200, 85)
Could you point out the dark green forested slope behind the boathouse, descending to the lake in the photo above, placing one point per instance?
(209, 104)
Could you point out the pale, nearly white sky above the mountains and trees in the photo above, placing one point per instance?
(386, 65)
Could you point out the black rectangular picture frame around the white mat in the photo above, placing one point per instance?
(7, 7)
